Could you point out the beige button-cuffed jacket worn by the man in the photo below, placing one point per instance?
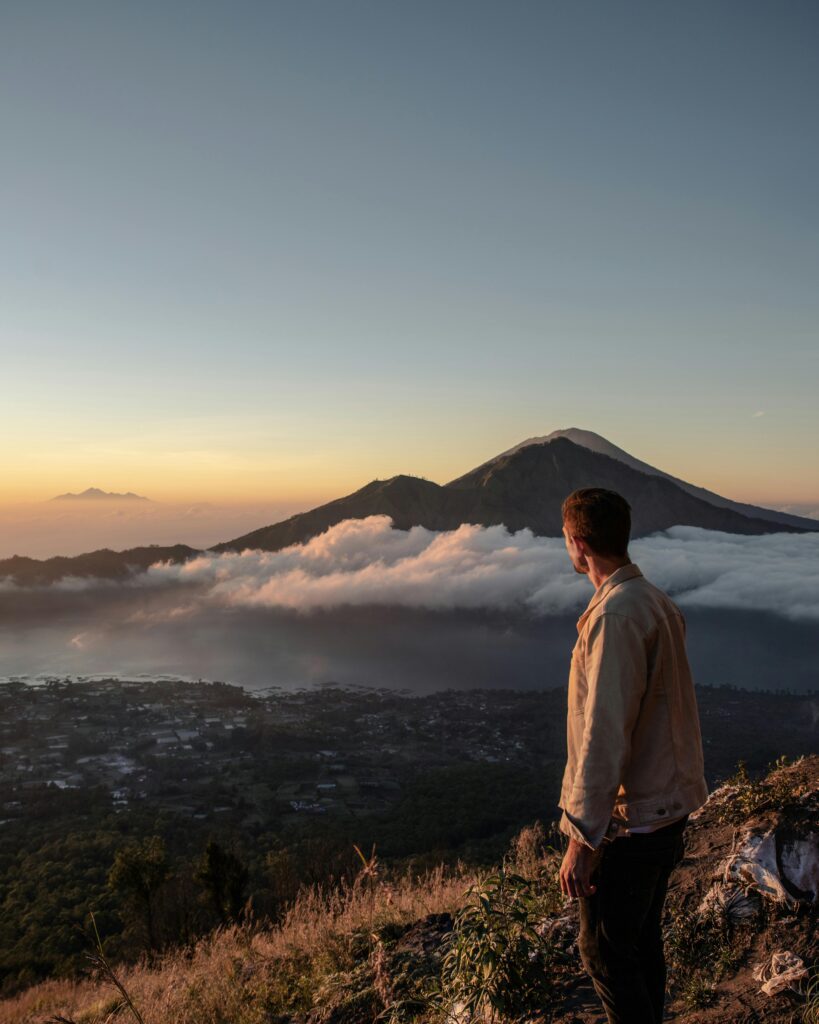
(635, 749)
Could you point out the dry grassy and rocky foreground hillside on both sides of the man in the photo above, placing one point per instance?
(746, 891)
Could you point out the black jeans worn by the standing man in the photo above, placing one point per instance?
(621, 937)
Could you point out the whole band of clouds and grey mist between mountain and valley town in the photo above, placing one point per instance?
(367, 605)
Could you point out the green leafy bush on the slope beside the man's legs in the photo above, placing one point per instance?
(497, 965)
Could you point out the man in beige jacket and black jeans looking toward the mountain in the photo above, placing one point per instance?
(635, 769)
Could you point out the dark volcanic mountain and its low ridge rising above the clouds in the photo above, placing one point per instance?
(523, 488)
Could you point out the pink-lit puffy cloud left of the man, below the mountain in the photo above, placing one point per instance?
(366, 562)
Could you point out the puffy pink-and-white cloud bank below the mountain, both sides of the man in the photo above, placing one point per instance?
(366, 562)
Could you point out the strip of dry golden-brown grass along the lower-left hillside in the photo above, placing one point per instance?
(246, 974)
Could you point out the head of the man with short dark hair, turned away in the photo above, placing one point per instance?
(596, 523)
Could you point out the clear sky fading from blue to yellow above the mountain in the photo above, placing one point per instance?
(271, 251)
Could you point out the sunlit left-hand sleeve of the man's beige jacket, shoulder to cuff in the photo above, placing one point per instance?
(617, 673)
